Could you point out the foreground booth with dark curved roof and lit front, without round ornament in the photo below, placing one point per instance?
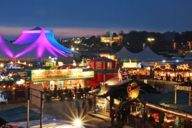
(110, 94)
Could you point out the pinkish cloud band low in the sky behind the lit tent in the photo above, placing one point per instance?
(64, 32)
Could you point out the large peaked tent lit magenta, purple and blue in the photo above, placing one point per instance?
(40, 43)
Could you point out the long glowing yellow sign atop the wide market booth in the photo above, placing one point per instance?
(47, 75)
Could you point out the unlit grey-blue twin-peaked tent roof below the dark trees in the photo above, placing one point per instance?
(146, 54)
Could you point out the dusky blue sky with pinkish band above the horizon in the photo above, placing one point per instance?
(87, 17)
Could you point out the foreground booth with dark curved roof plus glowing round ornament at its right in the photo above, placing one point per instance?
(113, 93)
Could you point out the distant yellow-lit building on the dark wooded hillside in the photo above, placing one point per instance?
(111, 38)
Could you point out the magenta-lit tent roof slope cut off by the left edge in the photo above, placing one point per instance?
(5, 52)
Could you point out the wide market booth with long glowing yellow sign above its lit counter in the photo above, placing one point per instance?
(63, 78)
